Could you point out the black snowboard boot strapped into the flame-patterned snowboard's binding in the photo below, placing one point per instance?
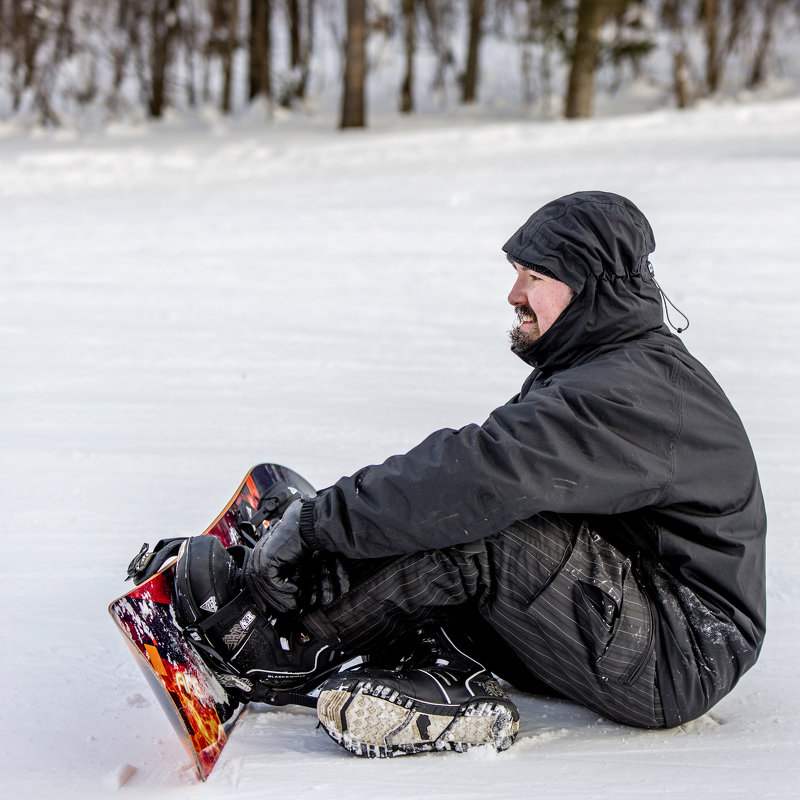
(254, 656)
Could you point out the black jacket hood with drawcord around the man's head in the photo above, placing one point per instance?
(598, 244)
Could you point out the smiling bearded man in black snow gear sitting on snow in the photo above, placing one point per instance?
(600, 537)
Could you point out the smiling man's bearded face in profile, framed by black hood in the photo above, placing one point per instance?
(538, 300)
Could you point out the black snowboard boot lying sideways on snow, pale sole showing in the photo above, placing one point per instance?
(437, 698)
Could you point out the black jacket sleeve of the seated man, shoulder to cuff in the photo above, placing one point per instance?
(565, 448)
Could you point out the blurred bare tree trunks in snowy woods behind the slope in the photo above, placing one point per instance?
(139, 58)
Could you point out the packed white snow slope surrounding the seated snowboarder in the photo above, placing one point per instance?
(177, 305)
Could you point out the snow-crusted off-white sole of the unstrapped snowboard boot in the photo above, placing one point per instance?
(373, 720)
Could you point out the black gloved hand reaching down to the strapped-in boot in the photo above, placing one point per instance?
(273, 570)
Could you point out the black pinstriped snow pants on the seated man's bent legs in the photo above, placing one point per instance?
(546, 604)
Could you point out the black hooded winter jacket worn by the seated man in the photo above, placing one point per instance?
(619, 425)
